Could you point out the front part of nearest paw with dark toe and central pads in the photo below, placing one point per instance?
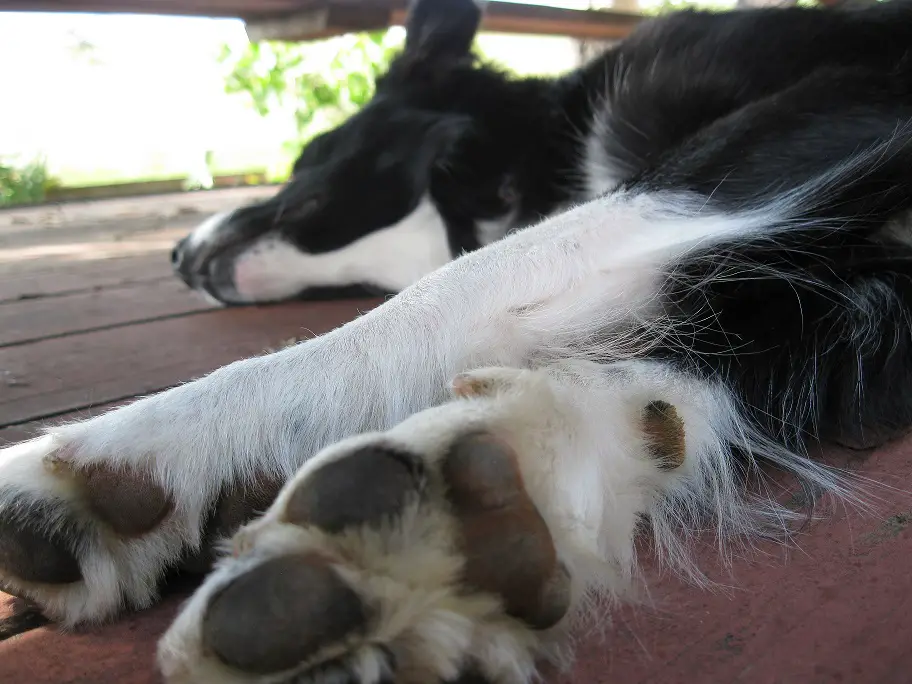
(381, 564)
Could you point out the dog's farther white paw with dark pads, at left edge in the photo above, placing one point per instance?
(90, 520)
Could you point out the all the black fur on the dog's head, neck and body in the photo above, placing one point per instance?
(810, 327)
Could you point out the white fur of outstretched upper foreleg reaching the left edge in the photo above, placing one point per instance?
(521, 300)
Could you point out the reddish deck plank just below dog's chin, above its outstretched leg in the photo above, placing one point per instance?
(58, 375)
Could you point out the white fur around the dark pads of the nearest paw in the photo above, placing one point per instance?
(577, 431)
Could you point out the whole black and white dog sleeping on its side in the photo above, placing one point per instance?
(725, 276)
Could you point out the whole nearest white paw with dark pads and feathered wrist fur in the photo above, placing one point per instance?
(468, 537)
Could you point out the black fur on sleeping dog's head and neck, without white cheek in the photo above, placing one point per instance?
(441, 125)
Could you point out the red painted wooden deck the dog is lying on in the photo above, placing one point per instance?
(90, 316)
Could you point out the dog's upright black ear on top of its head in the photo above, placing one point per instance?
(442, 29)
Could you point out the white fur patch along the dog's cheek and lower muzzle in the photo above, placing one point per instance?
(392, 258)
